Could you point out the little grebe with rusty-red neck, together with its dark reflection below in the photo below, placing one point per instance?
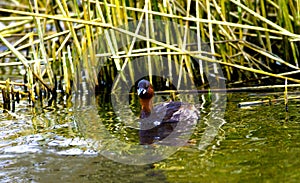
(160, 121)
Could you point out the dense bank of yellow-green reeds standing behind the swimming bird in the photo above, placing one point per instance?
(48, 44)
